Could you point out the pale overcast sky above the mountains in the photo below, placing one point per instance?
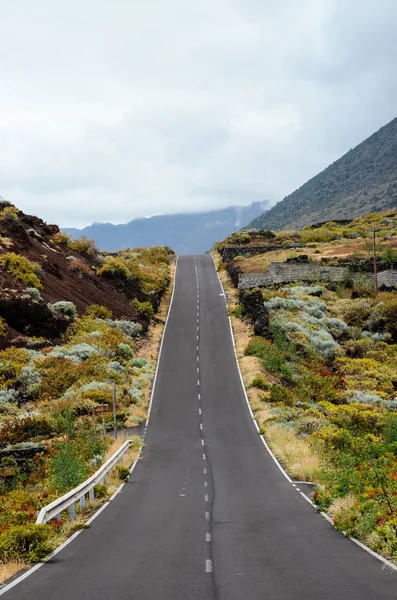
(122, 109)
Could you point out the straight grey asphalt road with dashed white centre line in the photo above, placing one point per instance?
(207, 514)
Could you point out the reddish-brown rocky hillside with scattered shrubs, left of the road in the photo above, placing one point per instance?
(40, 266)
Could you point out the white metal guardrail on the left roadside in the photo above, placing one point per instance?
(79, 493)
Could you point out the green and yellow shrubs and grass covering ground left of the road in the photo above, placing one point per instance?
(56, 395)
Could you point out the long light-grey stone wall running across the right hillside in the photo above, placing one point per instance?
(282, 273)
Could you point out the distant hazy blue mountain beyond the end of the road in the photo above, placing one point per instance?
(190, 233)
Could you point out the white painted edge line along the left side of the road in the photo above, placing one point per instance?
(15, 582)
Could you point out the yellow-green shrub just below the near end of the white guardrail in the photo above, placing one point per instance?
(28, 543)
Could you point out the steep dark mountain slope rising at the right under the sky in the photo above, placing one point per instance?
(363, 180)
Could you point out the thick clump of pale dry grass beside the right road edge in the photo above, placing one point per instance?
(294, 452)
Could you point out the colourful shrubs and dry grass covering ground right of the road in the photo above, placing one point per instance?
(322, 381)
